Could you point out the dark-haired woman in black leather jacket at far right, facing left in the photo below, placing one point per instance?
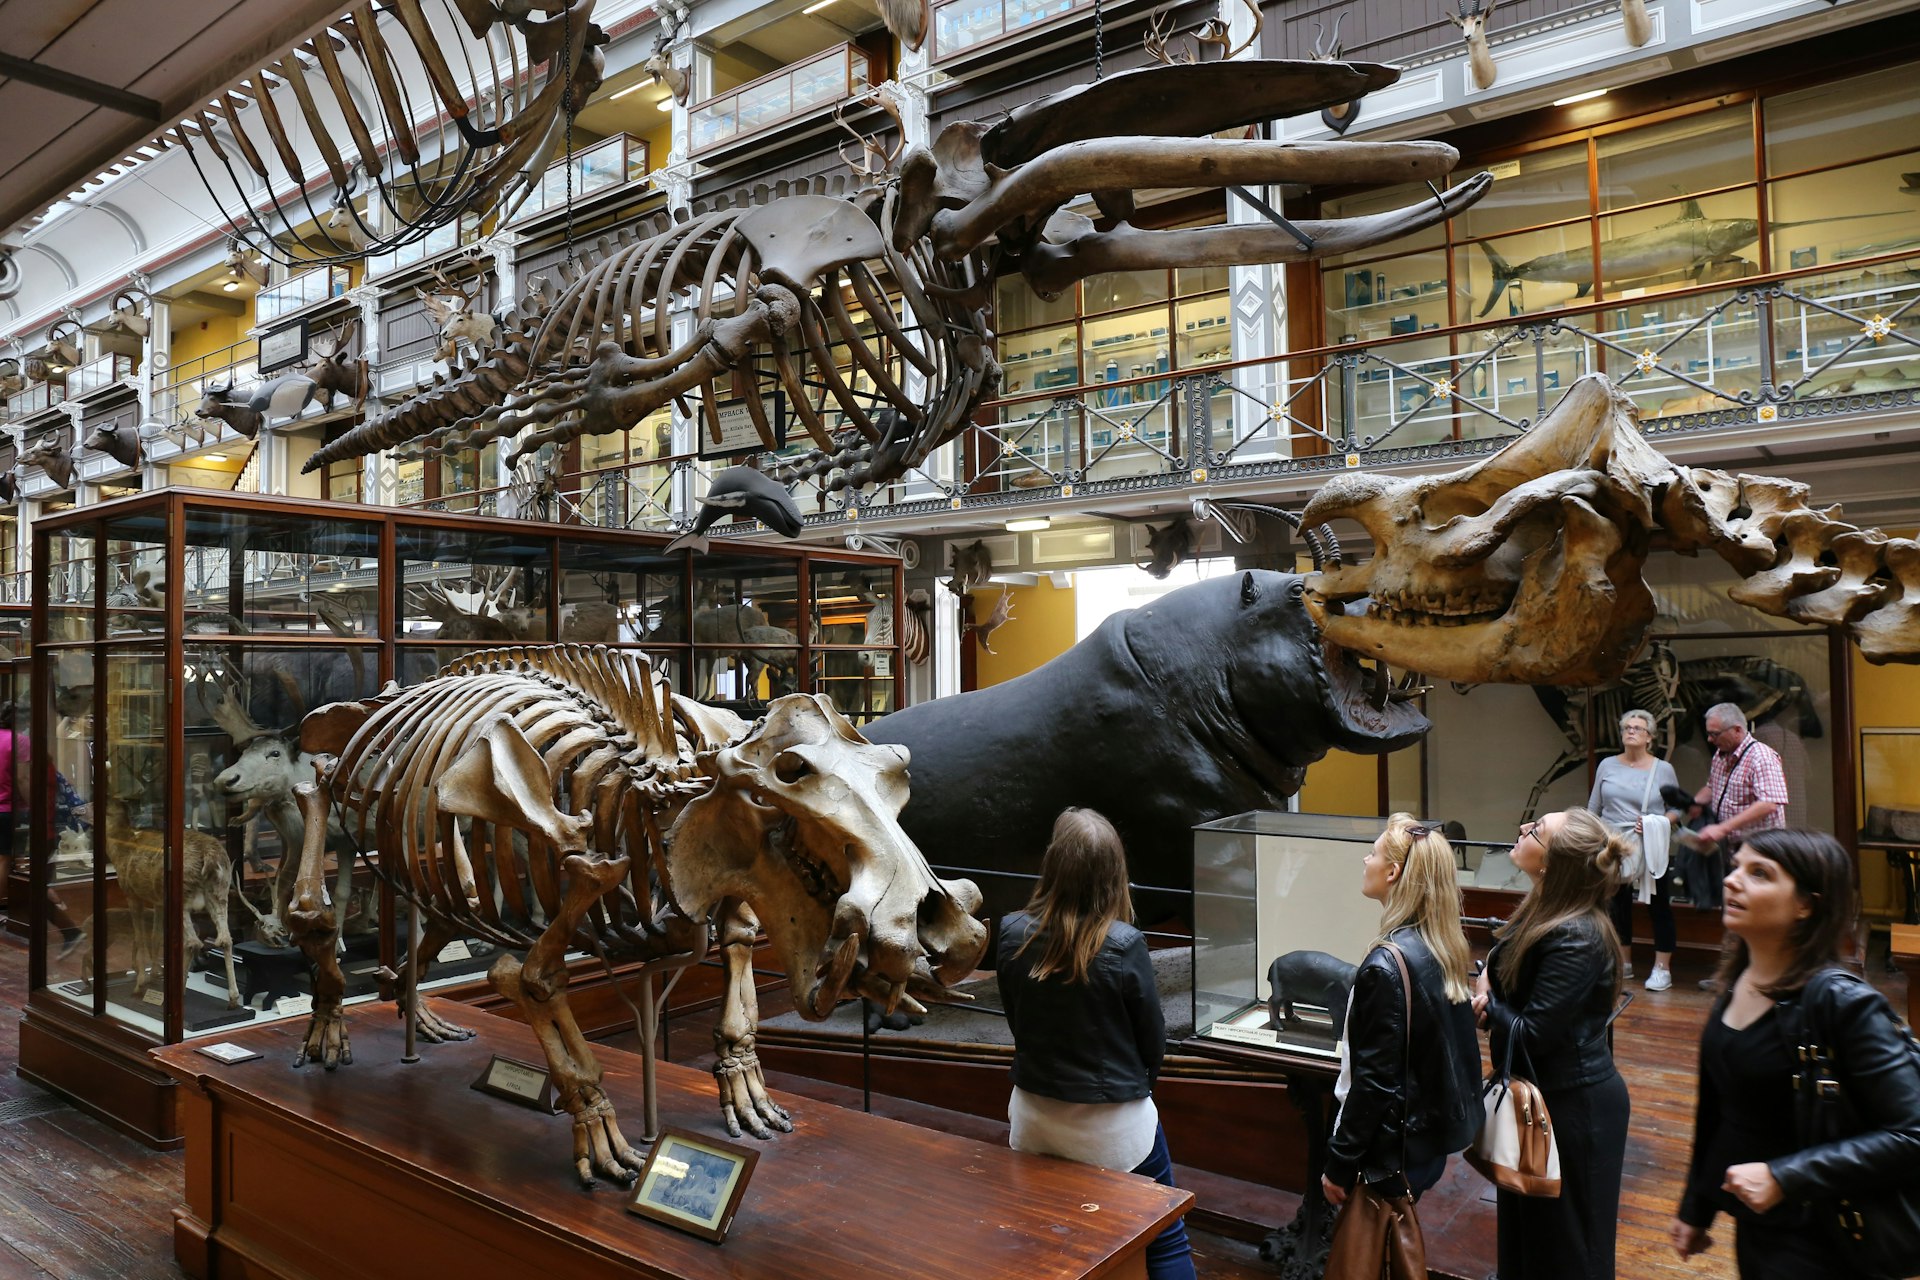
(1788, 914)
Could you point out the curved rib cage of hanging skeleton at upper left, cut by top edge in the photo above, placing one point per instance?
(504, 122)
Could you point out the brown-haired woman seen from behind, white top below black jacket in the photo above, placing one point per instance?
(1080, 999)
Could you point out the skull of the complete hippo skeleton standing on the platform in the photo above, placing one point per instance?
(804, 826)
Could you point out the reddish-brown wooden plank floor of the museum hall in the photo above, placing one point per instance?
(80, 1200)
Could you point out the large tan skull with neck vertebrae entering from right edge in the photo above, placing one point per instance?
(1527, 567)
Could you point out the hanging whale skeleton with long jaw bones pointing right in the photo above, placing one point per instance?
(777, 285)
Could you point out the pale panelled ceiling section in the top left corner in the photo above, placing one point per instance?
(172, 53)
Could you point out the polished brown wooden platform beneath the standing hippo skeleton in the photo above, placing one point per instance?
(389, 1170)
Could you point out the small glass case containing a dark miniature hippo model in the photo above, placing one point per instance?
(1274, 886)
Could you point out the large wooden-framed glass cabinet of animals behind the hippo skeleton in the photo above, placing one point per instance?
(181, 636)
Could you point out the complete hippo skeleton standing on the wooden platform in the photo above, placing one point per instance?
(650, 826)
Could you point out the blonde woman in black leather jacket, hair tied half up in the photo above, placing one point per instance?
(1408, 1097)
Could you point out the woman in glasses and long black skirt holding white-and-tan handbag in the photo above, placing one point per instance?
(1547, 995)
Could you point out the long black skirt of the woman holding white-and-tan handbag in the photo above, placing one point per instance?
(1573, 1237)
